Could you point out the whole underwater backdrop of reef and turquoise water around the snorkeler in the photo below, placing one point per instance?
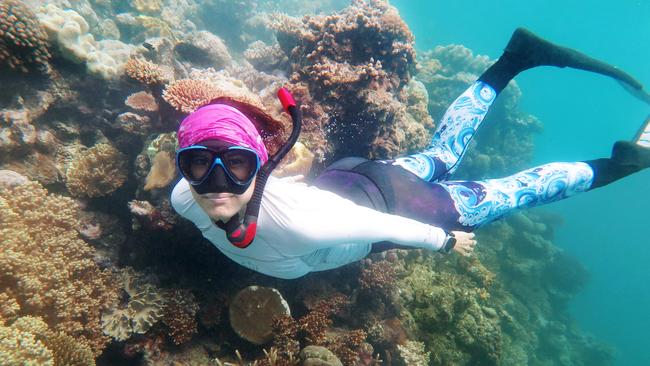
(97, 268)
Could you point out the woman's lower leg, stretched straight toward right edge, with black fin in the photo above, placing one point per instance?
(483, 201)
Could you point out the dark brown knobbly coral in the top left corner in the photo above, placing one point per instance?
(23, 43)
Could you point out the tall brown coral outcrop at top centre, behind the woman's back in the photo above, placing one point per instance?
(355, 64)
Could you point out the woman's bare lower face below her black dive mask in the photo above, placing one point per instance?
(223, 206)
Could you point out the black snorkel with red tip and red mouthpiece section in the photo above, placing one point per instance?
(241, 233)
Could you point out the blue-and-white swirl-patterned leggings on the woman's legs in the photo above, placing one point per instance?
(479, 202)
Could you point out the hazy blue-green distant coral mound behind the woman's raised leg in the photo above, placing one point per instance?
(505, 142)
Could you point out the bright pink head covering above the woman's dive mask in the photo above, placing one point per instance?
(221, 122)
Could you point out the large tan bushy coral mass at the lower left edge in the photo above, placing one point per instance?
(47, 268)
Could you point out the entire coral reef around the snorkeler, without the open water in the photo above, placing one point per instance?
(353, 74)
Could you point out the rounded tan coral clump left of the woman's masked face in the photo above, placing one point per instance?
(95, 172)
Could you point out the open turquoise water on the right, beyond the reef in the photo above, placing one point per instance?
(583, 114)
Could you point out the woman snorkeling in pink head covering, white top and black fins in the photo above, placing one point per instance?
(357, 206)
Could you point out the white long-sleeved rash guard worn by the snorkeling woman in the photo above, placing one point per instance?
(302, 229)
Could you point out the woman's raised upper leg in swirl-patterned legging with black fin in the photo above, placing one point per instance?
(463, 118)
